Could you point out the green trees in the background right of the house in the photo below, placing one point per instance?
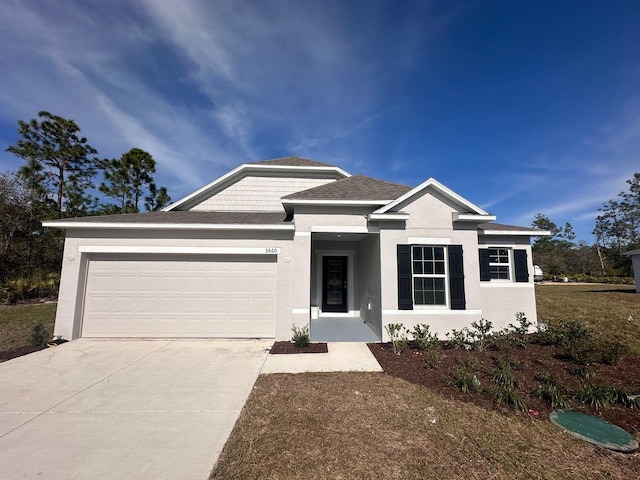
(616, 231)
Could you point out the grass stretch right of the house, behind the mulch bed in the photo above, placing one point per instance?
(603, 308)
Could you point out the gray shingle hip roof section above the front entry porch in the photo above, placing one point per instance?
(357, 187)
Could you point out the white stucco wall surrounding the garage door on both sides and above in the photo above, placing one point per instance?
(74, 266)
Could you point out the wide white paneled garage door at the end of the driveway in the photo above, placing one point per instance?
(180, 296)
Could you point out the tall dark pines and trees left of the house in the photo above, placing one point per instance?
(63, 176)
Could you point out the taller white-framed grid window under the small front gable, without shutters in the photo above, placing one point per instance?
(429, 275)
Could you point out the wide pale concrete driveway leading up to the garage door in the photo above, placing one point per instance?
(95, 409)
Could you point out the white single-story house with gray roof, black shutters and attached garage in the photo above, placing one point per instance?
(254, 252)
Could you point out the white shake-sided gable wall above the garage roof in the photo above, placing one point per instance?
(258, 193)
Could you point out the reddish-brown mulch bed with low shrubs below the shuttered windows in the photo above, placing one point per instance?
(530, 361)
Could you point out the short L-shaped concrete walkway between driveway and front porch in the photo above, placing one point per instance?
(341, 357)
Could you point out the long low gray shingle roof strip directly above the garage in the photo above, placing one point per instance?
(186, 217)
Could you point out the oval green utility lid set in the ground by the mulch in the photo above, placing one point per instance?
(595, 430)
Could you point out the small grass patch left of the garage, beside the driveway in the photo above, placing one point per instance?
(17, 322)
